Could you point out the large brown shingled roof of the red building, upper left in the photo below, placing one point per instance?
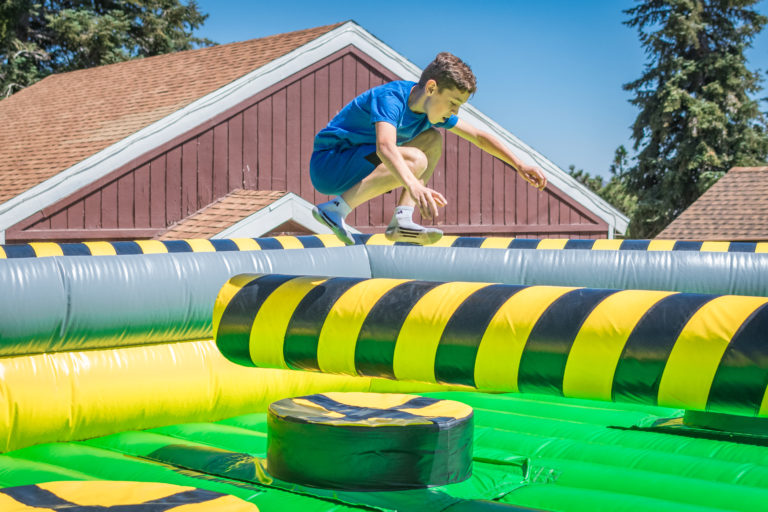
(97, 109)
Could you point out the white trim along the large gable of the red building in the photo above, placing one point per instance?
(102, 163)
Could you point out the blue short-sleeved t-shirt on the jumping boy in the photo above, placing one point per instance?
(355, 125)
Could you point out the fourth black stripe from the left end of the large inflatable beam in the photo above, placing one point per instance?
(457, 351)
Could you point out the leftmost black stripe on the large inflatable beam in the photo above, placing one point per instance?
(234, 331)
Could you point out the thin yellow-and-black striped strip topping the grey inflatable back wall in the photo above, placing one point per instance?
(42, 249)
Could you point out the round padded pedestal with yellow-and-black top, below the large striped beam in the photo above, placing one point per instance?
(369, 441)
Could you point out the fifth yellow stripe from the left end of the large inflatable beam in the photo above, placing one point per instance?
(500, 350)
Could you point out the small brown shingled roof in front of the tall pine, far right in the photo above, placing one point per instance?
(735, 208)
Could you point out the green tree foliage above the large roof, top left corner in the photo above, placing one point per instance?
(38, 37)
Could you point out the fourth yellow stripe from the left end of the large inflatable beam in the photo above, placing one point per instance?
(416, 345)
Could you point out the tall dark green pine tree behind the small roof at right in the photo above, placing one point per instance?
(697, 117)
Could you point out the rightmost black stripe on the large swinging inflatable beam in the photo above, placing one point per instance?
(741, 378)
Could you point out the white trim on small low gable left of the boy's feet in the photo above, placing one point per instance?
(288, 207)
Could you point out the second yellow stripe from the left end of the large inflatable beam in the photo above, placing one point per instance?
(268, 329)
